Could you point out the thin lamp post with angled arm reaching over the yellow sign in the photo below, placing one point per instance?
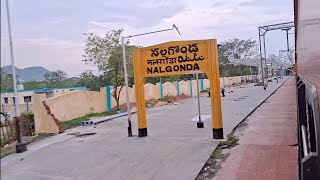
(175, 28)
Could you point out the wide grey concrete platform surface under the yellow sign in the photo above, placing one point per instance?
(174, 149)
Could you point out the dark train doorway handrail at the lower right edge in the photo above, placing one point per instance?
(308, 131)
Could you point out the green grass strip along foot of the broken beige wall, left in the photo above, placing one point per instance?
(77, 121)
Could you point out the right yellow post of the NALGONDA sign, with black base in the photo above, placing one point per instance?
(217, 126)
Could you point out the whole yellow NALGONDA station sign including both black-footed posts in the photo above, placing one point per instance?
(178, 58)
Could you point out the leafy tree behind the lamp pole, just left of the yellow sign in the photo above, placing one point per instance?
(106, 53)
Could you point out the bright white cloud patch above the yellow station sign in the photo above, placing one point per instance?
(222, 20)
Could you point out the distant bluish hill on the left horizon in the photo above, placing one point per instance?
(27, 74)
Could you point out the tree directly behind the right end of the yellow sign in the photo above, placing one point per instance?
(235, 51)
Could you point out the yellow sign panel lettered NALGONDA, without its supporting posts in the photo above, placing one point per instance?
(174, 58)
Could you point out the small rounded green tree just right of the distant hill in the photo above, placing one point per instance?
(55, 79)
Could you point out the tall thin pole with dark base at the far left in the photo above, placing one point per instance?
(20, 146)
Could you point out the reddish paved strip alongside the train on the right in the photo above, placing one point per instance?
(266, 141)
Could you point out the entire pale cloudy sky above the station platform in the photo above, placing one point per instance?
(49, 33)
